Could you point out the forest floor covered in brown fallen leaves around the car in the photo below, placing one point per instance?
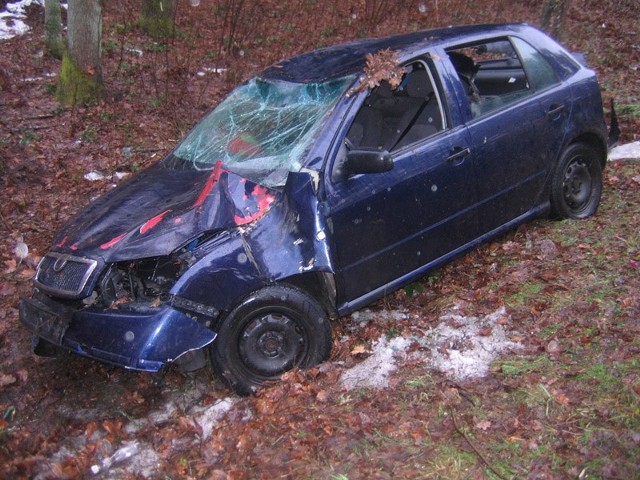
(539, 376)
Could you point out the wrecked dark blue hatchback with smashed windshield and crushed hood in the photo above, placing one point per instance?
(317, 187)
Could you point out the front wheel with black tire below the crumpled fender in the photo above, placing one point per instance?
(273, 330)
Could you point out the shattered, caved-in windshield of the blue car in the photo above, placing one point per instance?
(262, 129)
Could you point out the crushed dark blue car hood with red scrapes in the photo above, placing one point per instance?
(161, 210)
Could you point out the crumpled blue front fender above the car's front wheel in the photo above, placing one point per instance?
(290, 240)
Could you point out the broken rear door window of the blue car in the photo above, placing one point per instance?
(491, 73)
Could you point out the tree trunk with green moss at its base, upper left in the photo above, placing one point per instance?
(80, 78)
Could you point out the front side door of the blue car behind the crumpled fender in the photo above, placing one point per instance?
(387, 225)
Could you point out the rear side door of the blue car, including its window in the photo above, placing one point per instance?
(505, 136)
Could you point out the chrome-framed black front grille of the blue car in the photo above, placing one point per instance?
(64, 274)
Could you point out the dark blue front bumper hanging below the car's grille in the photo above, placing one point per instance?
(143, 341)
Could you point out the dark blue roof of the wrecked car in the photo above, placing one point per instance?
(350, 58)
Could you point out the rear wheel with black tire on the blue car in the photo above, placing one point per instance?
(577, 183)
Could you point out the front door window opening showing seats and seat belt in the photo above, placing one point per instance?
(390, 119)
